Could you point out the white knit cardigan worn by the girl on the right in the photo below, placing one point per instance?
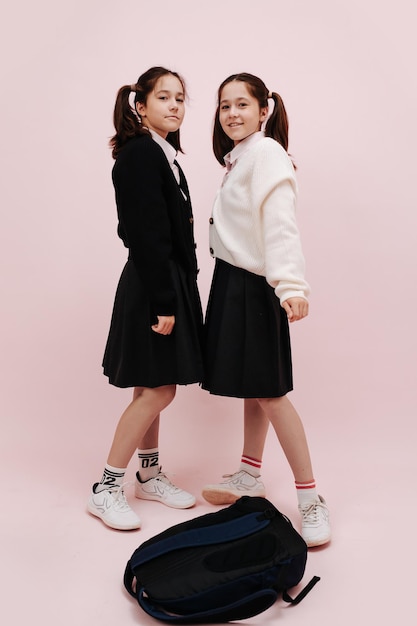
(253, 224)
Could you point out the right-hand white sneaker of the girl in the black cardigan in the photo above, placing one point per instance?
(161, 489)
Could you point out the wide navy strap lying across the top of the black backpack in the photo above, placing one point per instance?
(208, 535)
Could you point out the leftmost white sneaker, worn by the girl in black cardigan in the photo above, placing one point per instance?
(111, 506)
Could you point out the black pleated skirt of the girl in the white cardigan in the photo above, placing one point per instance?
(247, 339)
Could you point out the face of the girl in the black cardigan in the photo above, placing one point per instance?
(164, 108)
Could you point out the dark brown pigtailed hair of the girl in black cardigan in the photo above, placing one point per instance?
(125, 118)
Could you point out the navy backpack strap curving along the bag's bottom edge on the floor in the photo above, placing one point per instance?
(246, 607)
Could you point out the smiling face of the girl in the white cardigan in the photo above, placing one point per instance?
(239, 112)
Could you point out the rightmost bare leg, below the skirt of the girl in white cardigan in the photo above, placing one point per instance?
(290, 432)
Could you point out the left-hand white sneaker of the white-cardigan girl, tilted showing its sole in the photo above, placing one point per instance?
(237, 485)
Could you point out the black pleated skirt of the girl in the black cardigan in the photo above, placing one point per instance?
(136, 356)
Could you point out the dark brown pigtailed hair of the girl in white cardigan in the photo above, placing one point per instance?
(276, 126)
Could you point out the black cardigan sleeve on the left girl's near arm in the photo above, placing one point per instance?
(144, 224)
